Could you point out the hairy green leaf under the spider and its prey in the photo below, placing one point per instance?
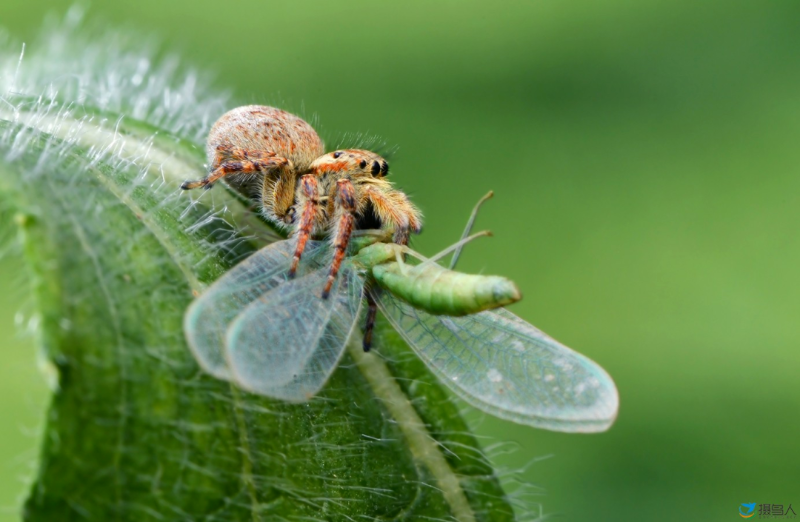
(95, 139)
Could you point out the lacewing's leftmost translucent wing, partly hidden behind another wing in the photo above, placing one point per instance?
(208, 317)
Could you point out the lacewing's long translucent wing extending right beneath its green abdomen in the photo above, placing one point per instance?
(504, 366)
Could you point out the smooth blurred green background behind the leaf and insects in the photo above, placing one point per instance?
(645, 161)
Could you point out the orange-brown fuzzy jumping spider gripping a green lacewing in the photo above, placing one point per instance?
(269, 154)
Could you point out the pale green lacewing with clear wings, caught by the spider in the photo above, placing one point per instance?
(277, 337)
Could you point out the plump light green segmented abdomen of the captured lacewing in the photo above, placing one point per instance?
(445, 292)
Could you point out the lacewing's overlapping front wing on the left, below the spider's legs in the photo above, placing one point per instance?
(286, 343)
